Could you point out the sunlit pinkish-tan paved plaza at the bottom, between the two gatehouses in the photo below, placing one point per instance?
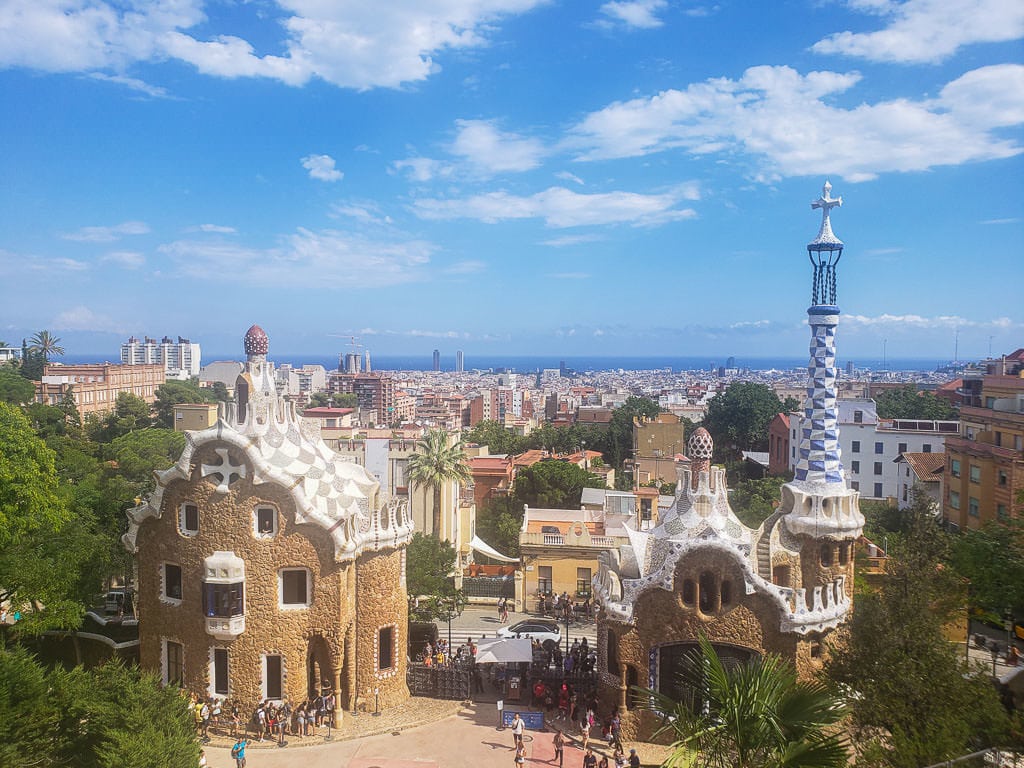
(467, 740)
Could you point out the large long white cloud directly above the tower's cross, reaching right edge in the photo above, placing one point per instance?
(788, 123)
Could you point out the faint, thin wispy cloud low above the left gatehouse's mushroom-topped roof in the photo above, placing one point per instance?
(307, 259)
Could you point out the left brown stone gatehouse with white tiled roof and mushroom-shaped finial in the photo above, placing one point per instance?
(267, 567)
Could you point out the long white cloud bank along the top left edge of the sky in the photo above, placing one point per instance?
(354, 46)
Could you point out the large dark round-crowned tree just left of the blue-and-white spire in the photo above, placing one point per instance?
(738, 419)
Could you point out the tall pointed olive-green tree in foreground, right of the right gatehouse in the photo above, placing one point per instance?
(916, 704)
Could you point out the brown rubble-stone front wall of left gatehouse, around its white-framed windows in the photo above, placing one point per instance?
(227, 524)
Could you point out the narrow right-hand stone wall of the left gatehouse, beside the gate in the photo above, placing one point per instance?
(382, 602)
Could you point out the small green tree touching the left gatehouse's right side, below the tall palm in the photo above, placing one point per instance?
(430, 569)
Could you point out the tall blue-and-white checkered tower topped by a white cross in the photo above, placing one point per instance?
(822, 505)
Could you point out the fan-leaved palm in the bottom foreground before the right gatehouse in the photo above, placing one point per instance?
(754, 715)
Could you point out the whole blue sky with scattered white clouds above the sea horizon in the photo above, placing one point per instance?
(511, 177)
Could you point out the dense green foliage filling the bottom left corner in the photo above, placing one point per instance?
(105, 718)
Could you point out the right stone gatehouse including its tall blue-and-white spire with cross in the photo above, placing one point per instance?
(781, 589)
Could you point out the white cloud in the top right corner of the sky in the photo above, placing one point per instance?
(928, 31)
